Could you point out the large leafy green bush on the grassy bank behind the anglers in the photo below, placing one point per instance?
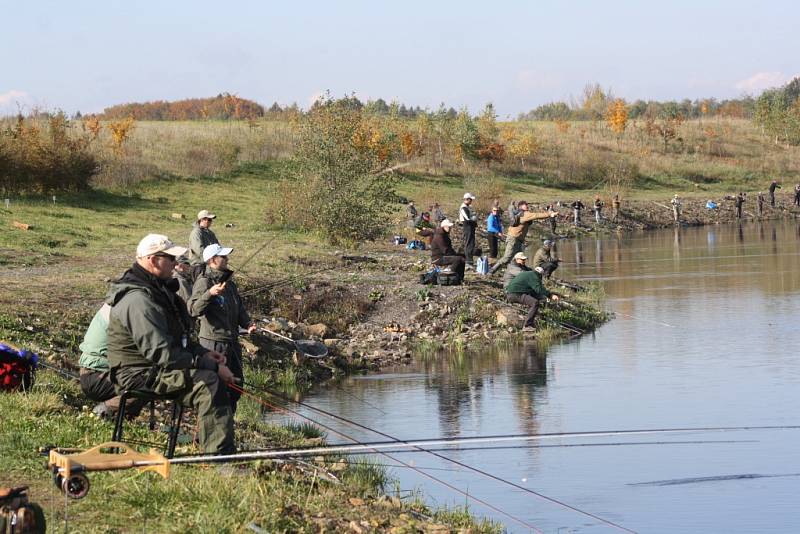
(338, 184)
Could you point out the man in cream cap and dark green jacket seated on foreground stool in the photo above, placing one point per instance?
(149, 346)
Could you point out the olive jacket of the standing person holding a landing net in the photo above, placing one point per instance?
(220, 316)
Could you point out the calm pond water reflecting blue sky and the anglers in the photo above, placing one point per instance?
(705, 335)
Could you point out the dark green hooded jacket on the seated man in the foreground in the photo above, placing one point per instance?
(148, 328)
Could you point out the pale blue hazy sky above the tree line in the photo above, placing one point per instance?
(83, 55)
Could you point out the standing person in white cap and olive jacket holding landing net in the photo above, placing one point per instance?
(216, 301)
